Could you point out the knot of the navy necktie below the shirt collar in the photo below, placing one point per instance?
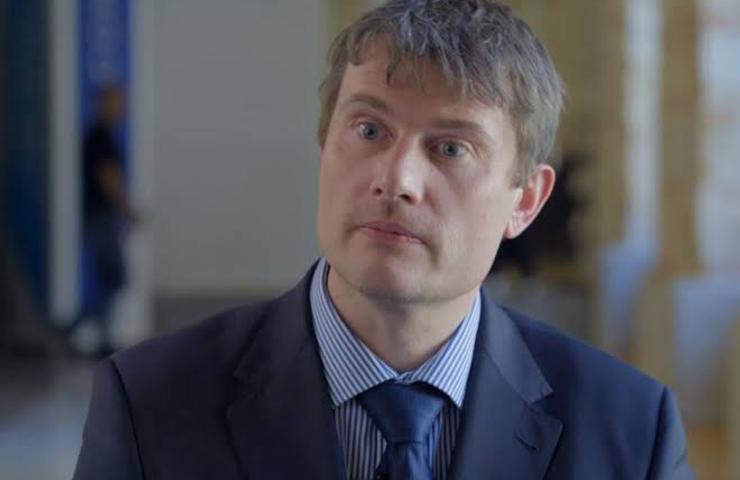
(404, 413)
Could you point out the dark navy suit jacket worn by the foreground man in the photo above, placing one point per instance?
(243, 396)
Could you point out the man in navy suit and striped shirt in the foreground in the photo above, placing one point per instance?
(387, 360)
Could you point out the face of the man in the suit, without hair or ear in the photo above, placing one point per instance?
(415, 185)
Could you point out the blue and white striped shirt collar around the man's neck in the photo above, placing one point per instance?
(351, 367)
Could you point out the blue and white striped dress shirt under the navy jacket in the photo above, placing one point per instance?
(351, 368)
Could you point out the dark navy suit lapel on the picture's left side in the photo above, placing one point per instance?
(280, 420)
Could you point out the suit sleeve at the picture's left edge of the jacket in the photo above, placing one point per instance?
(109, 445)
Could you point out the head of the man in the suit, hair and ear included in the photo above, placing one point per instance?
(437, 121)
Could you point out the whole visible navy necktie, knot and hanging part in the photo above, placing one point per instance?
(404, 413)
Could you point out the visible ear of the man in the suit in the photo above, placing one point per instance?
(533, 196)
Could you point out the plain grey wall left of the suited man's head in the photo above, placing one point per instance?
(234, 108)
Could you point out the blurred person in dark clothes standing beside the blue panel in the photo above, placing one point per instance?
(107, 214)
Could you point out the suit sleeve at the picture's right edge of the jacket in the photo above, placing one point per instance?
(669, 459)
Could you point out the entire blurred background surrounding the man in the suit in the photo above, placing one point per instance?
(195, 123)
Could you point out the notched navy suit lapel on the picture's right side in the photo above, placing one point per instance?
(502, 433)
